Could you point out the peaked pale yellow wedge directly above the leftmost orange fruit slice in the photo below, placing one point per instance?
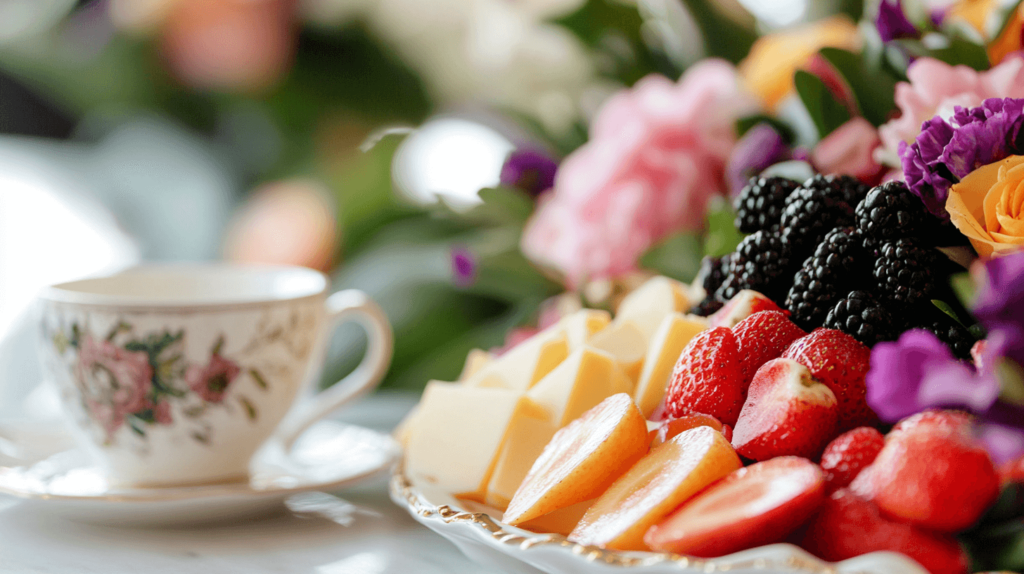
(585, 379)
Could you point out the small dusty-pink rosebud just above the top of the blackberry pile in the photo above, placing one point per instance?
(849, 150)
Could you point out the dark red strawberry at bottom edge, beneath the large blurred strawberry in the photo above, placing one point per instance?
(848, 526)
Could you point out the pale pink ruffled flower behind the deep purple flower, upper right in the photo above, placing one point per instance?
(935, 90)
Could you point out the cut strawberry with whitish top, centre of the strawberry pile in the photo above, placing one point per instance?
(788, 412)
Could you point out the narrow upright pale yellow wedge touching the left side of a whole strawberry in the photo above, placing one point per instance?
(671, 338)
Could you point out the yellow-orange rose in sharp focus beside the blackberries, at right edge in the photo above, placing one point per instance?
(988, 206)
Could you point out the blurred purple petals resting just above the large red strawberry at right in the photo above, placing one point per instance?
(918, 373)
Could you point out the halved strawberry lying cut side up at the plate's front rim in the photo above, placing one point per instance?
(755, 506)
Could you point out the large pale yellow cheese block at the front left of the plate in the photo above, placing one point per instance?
(459, 432)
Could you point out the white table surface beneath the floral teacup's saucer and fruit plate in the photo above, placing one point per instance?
(369, 537)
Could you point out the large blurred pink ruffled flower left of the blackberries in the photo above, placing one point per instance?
(657, 154)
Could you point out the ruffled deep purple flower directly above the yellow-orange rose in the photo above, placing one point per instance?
(946, 152)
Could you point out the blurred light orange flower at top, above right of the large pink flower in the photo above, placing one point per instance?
(775, 59)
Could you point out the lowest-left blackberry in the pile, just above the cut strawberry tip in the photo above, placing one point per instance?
(762, 263)
